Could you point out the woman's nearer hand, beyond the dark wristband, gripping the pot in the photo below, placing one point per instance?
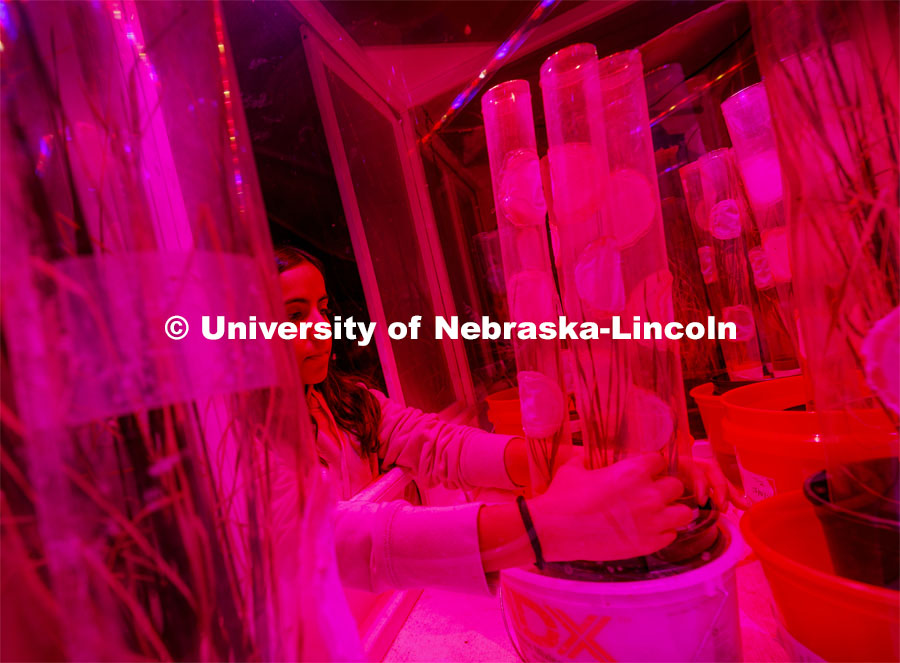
(616, 512)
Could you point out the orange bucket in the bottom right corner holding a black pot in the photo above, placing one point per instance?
(836, 618)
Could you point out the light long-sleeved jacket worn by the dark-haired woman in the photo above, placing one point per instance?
(394, 545)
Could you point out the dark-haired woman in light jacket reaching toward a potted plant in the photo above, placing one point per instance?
(395, 545)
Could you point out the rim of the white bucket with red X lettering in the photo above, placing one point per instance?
(718, 567)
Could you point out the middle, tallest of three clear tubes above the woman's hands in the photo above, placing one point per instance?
(589, 264)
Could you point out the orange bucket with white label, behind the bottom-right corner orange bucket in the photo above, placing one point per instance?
(778, 449)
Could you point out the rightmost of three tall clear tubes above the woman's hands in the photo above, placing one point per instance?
(656, 404)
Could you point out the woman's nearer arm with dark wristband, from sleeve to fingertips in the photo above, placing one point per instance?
(616, 512)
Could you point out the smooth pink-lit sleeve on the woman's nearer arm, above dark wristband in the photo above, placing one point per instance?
(393, 545)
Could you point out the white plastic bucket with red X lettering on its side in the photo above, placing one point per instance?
(692, 616)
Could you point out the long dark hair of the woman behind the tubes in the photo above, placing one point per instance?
(353, 406)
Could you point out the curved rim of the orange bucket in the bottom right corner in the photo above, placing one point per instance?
(802, 572)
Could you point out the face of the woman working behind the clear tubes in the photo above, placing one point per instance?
(305, 299)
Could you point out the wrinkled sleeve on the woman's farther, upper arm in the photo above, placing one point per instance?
(437, 452)
